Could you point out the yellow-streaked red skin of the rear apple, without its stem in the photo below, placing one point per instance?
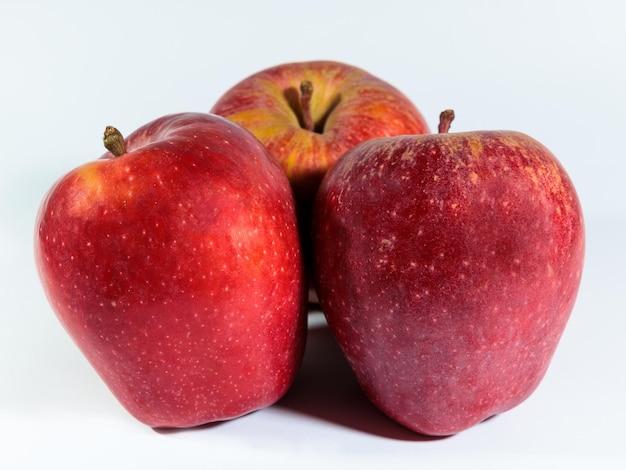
(348, 106)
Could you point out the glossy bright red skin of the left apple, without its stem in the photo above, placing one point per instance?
(176, 269)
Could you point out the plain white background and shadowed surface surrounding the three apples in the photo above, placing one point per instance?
(555, 70)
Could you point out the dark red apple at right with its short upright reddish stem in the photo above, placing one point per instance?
(447, 266)
